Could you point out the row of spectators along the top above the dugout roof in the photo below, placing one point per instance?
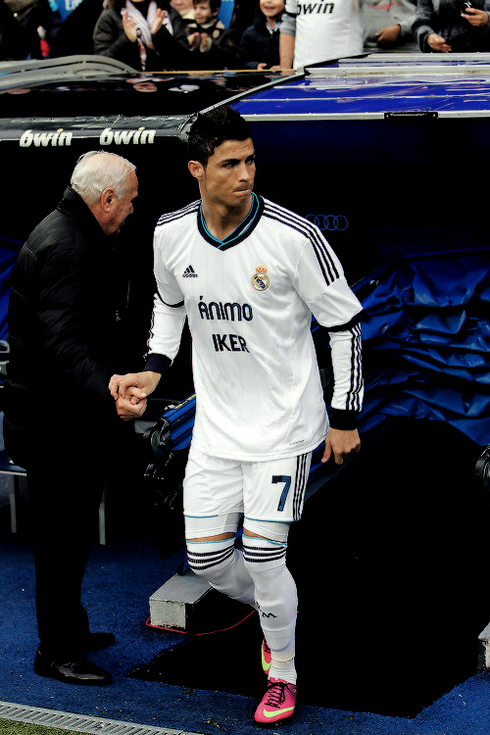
(160, 35)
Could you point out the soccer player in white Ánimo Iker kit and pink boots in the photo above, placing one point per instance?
(248, 274)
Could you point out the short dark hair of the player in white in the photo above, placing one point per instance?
(210, 129)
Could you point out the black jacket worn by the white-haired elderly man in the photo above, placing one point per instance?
(66, 316)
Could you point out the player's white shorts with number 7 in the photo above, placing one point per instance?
(263, 491)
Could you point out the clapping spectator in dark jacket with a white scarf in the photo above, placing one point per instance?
(145, 34)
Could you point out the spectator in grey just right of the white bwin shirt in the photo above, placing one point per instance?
(388, 25)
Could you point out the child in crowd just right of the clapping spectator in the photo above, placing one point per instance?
(204, 35)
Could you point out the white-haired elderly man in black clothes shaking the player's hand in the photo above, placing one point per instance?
(65, 314)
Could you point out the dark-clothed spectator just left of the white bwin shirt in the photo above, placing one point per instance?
(259, 46)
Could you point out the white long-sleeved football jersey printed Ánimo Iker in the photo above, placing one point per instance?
(249, 300)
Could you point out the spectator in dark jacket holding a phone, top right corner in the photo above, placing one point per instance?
(451, 25)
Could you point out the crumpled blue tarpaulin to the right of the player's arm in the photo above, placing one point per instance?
(426, 341)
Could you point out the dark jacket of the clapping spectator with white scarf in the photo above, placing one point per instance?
(171, 51)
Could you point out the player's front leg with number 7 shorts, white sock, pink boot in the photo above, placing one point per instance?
(274, 497)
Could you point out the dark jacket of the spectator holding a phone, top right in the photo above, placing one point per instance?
(444, 17)
